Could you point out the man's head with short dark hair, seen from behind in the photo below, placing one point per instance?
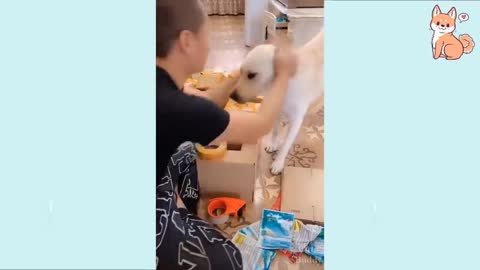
(182, 34)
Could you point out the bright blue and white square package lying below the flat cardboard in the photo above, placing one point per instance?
(276, 230)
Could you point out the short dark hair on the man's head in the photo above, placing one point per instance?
(173, 17)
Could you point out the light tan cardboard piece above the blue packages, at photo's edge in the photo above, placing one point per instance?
(302, 193)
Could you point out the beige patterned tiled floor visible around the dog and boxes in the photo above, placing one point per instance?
(227, 52)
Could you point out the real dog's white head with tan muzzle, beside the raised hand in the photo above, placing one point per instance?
(256, 74)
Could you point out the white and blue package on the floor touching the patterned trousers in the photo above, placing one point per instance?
(254, 258)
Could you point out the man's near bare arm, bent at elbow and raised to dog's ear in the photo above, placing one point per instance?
(245, 127)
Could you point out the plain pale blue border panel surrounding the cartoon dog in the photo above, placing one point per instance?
(402, 140)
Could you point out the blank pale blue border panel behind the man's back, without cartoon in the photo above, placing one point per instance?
(77, 135)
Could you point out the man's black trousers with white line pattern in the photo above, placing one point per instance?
(184, 241)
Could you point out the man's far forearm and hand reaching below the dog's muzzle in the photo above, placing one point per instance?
(218, 95)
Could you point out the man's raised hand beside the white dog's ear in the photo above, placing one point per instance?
(285, 60)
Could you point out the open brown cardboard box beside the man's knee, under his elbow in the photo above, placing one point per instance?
(233, 176)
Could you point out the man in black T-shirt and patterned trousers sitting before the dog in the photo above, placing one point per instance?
(187, 116)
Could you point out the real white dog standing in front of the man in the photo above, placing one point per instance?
(303, 89)
